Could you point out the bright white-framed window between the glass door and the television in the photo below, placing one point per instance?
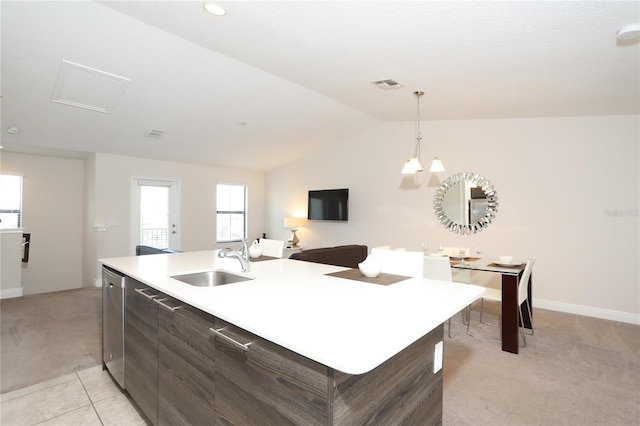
(231, 212)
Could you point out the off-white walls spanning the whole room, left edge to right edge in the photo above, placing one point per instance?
(568, 190)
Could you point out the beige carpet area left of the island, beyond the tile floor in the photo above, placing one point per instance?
(48, 335)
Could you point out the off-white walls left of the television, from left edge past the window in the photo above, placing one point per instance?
(78, 210)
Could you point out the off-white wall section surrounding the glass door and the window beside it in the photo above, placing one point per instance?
(111, 204)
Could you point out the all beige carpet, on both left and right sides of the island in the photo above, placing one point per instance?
(575, 370)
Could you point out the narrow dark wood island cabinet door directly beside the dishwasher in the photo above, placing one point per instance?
(141, 346)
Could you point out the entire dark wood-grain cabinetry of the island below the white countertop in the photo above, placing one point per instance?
(184, 366)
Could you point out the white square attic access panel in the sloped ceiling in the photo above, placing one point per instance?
(88, 88)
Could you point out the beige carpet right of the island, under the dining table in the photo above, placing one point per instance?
(575, 370)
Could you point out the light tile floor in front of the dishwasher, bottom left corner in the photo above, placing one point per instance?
(85, 398)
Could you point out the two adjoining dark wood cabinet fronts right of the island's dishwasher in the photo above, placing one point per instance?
(169, 357)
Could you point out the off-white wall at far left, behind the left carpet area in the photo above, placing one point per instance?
(52, 205)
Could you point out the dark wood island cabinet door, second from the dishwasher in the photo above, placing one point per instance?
(186, 389)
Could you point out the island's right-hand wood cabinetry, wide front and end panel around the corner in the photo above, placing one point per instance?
(268, 384)
